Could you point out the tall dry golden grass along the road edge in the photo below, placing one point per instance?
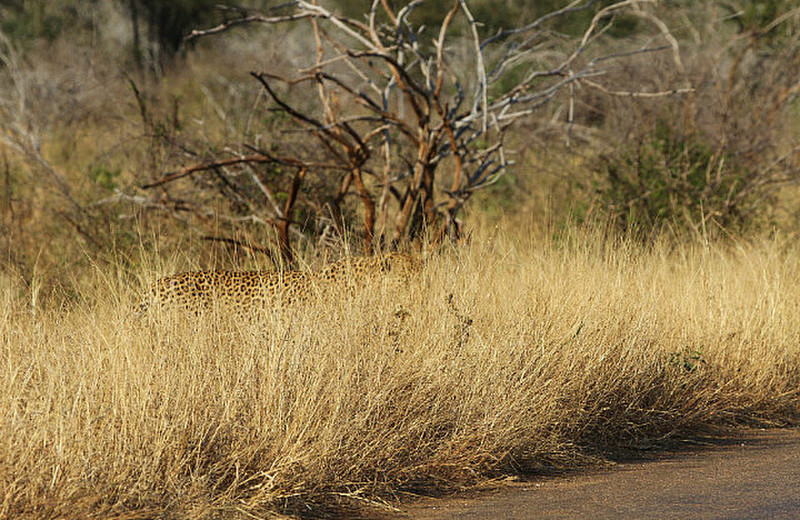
(506, 357)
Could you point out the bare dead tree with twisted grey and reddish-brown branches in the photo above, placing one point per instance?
(410, 121)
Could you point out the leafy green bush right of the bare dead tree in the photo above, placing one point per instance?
(675, 179)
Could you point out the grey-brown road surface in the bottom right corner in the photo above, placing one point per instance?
(750, 476)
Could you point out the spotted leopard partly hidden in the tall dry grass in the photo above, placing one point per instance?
(246, 291)
